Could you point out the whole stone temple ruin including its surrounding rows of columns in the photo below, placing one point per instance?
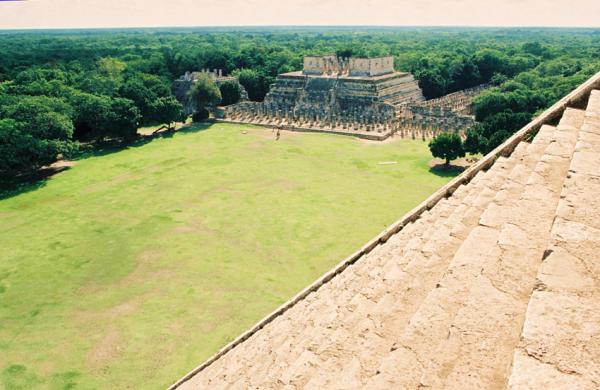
(365, 97)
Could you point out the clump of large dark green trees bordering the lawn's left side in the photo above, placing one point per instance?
(47, 110)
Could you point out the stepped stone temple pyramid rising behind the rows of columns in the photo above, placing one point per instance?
(343, 88)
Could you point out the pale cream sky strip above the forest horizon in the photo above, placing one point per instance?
(151, 13)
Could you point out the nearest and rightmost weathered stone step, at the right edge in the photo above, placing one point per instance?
(560, 341)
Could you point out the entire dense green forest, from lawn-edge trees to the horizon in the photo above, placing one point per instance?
(89, 85)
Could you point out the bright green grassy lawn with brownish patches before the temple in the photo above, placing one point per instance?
(132, 267)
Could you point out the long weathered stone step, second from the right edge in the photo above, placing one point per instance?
(486, 329)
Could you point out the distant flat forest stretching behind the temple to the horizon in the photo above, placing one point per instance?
(444, 60)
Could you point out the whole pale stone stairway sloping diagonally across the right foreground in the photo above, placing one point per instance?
(493, 282)
